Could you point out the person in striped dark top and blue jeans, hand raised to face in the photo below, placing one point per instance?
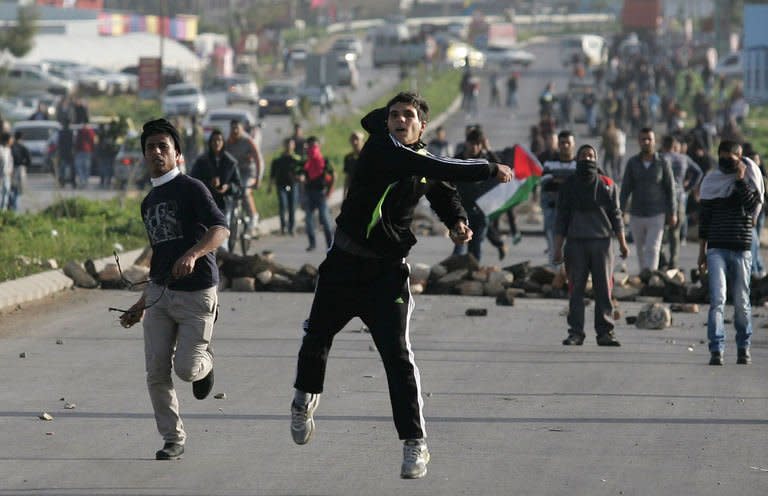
(730, 198)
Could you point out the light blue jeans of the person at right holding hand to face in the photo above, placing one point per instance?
(729, 267)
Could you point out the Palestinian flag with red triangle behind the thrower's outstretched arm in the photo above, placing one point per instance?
(506, 195)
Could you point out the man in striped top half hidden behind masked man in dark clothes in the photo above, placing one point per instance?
(554, 173)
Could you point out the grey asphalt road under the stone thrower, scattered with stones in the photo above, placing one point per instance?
(509, 410)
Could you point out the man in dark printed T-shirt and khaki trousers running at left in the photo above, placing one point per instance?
(180, 304)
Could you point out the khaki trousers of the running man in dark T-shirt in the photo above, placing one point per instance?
(177, 333)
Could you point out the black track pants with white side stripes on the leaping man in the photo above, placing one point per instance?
(377, 291)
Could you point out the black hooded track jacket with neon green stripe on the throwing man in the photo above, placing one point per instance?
(389, 180)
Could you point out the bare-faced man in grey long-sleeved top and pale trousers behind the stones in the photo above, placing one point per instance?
(649, 181)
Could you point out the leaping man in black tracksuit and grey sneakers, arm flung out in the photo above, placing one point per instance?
(365, 274)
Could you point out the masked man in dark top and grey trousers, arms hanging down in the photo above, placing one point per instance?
(587, 216)
